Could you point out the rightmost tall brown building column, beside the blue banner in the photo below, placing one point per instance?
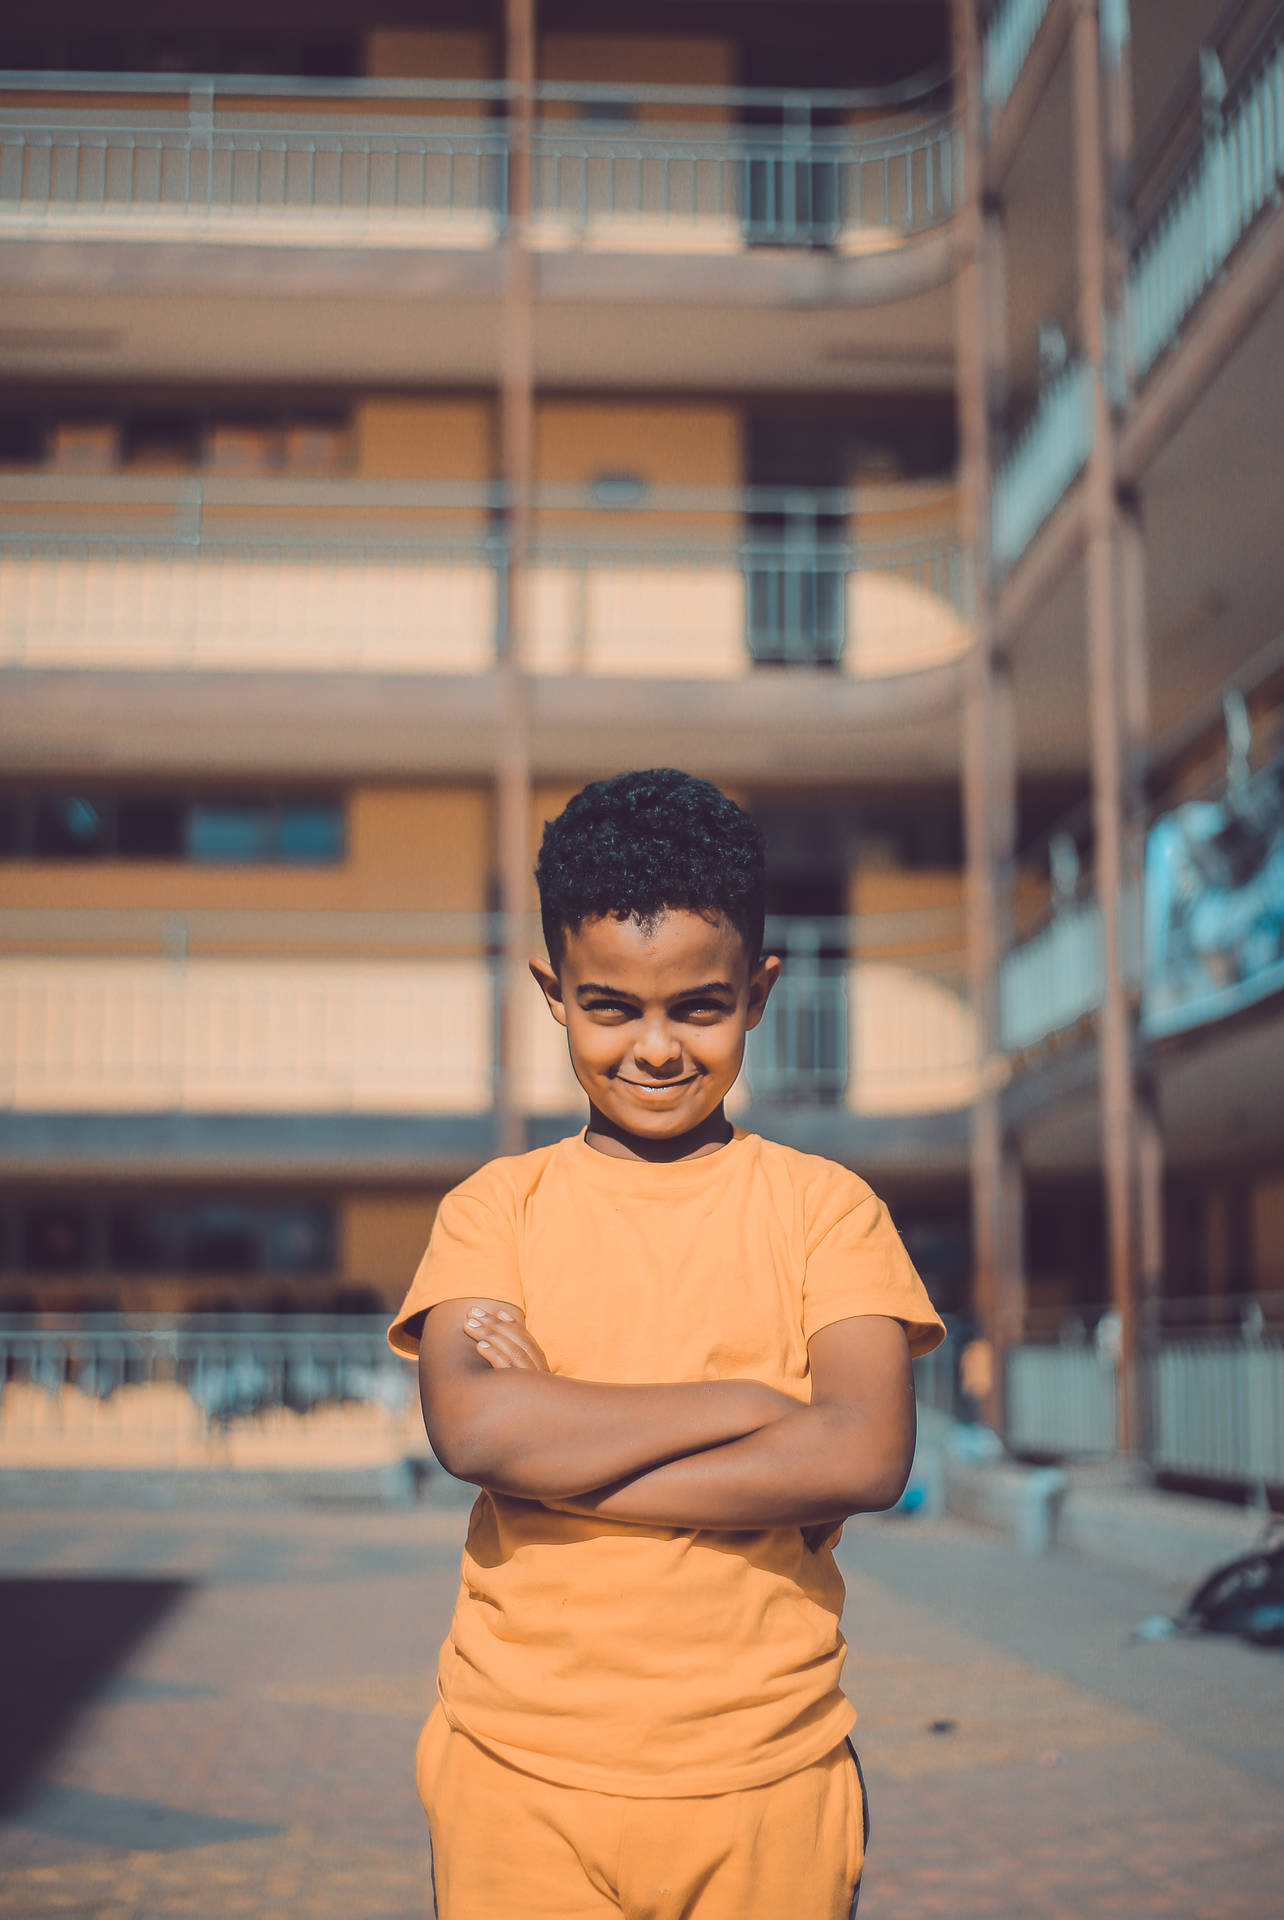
(1099, 133)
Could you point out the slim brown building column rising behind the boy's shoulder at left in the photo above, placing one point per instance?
(517, 462)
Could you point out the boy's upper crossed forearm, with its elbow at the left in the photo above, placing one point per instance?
(544, 1437)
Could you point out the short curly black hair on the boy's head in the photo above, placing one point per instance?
(640, 846)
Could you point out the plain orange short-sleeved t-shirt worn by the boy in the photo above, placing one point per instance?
(642, 1660)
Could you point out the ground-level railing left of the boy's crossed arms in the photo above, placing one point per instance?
(250, 1393)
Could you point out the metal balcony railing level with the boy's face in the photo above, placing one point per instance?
(112, 1013)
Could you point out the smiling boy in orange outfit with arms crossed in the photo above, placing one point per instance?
(677, 1358)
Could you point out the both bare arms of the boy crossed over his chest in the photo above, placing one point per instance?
(711, 1454)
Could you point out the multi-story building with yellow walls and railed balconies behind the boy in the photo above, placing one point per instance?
(410, 420)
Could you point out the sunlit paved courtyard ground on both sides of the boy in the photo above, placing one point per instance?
(214, 1714)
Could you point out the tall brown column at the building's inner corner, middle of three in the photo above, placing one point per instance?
(987, 734)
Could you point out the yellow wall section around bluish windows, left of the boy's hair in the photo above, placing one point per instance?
(408, 848)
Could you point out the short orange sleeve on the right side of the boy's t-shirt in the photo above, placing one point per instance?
(857, 1264)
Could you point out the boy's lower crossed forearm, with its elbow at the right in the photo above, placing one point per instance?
(813, 1468)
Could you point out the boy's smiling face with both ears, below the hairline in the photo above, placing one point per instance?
(657, 1020)
